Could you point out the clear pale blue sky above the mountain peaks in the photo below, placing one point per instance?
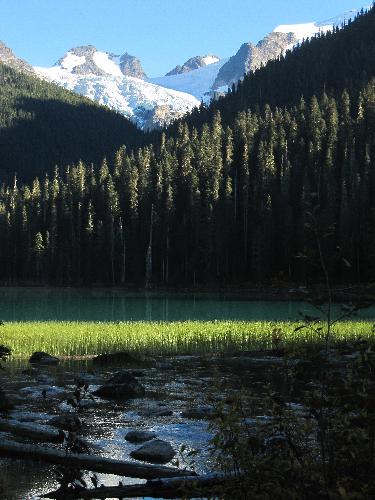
(162, 33)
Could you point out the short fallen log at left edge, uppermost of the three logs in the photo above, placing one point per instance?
(36, 432)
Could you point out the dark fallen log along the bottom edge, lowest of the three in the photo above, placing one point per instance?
(187, 487)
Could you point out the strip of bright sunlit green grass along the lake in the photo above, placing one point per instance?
(191, 337)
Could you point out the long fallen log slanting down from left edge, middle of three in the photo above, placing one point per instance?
(88, 462)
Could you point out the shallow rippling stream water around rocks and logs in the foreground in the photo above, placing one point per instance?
(174, 384)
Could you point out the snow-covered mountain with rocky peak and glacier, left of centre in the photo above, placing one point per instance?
(117, 82)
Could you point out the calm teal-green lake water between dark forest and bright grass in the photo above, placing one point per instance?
(72, 304)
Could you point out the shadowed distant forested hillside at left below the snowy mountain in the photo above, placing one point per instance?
(42, 125)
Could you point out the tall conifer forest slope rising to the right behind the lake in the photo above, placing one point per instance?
(234, 200)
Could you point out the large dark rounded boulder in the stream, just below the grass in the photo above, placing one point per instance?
(121, 386)
